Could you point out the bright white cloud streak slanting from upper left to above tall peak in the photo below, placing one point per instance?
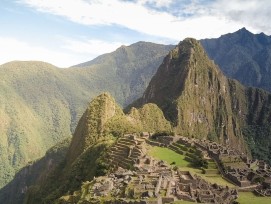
(135, 16)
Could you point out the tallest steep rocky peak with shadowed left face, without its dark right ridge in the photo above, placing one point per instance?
(190, 88)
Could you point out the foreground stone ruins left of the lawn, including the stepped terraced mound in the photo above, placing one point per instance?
(142, 179)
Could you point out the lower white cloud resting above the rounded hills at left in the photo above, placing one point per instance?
(71, 52)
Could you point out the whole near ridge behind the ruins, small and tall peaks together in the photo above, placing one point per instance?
(188, 94)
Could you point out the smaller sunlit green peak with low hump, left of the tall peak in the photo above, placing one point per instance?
(101, 124)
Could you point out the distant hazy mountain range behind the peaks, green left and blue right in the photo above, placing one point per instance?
(41, 104)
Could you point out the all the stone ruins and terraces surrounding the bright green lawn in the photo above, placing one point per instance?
(139, 178)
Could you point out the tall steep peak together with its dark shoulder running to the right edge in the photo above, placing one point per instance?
(201, 102)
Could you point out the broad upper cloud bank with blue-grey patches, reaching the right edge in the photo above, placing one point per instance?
(194, 18)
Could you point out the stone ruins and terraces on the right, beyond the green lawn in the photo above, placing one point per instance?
(233, 165)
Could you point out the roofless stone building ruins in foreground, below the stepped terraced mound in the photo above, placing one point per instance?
(156, 182)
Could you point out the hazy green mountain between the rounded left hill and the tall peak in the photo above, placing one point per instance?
(126, 72)
